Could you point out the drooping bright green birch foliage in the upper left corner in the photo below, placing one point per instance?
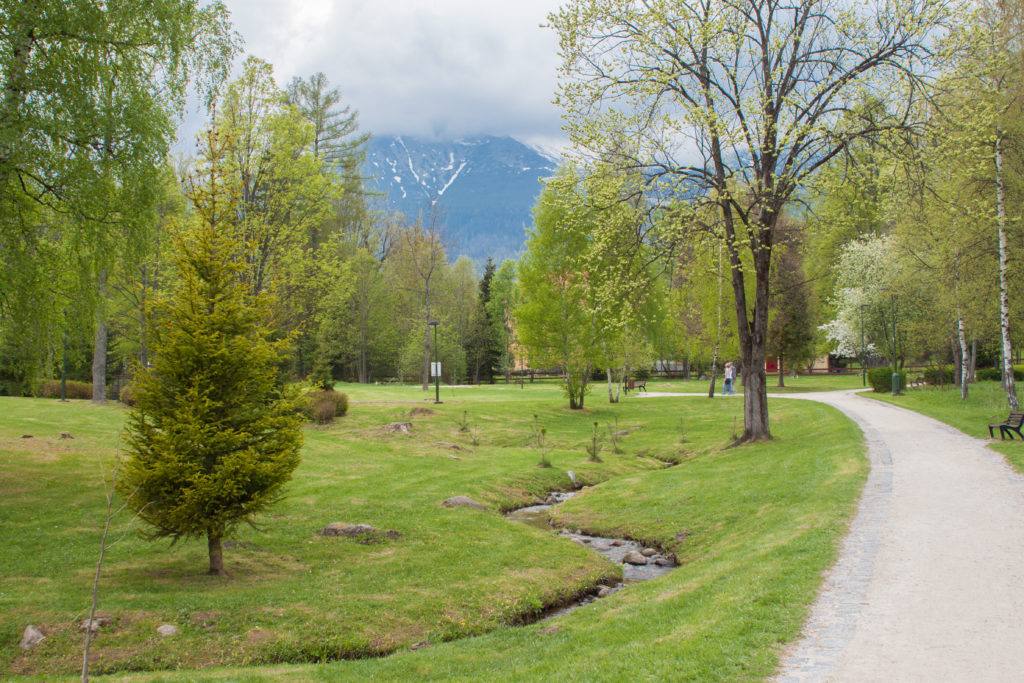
(93, 91)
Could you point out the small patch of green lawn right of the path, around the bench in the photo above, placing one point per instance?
(987, 403)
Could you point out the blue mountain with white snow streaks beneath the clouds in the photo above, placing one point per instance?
(484, 188)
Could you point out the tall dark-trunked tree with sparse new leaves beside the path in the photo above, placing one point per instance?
(737, 104)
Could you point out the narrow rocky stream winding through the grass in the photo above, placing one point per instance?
(615, 550)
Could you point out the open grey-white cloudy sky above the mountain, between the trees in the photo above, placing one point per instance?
(430, 68)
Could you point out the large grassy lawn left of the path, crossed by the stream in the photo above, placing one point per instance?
(753, 529)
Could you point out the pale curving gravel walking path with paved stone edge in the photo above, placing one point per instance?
(930, 582)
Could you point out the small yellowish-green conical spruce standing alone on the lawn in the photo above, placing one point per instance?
(211, 440)
